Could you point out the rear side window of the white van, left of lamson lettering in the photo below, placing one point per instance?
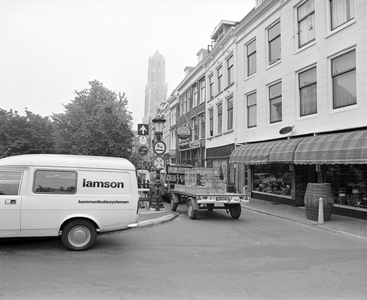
(54, 182)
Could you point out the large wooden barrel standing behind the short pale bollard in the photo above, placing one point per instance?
(314, 192)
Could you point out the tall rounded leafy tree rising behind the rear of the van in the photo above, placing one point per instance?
(96, 122)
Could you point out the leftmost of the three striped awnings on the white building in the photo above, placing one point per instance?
(252, 154)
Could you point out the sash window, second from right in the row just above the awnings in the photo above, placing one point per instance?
(308, 92)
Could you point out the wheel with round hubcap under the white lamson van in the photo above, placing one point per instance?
(78, 235)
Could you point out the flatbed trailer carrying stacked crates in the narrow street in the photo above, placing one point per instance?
(200, 201)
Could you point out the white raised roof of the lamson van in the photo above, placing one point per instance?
(64, 160)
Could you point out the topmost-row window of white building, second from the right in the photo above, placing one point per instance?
(306, 23)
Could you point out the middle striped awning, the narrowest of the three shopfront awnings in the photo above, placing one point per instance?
(283, 151)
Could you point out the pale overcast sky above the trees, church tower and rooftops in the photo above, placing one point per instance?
(51, 48)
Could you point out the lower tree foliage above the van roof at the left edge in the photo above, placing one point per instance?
(25, 134)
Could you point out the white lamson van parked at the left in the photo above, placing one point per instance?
(73, 196)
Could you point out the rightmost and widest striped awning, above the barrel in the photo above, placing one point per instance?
(342, 148)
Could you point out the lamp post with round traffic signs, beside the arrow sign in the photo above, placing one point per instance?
(159, 148)
